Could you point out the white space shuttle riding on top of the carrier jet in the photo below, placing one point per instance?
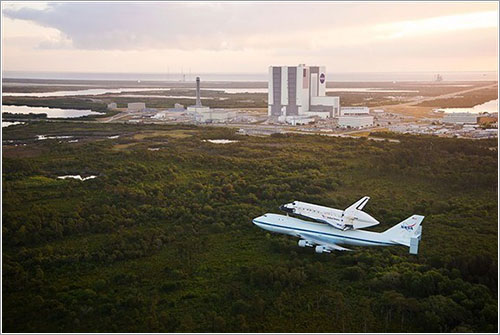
(351, 218)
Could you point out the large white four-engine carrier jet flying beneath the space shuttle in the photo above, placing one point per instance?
(326, 236)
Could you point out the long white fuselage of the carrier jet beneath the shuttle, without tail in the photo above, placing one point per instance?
(295, 227)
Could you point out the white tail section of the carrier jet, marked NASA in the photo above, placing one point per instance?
(408, 232)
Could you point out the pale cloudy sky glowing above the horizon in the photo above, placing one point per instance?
(247, 37)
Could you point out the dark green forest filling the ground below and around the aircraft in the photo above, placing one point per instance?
(162, 239)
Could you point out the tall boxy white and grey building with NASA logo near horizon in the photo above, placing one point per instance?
(299, 91)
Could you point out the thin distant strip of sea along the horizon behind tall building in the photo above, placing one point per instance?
(331, 76)
